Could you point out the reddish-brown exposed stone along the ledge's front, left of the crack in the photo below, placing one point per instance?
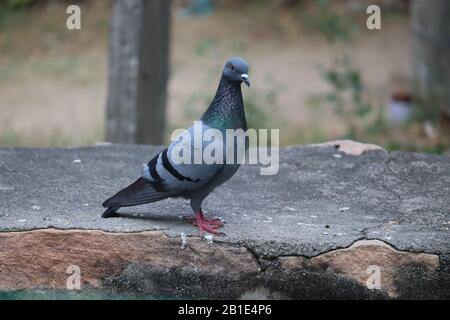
(41, 258)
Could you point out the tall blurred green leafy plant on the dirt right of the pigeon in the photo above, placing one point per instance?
(348, 96)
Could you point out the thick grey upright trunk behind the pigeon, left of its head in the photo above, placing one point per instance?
(138, 71)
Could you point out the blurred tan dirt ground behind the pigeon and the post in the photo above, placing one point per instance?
(53, 81)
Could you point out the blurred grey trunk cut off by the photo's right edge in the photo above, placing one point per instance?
(431, 47)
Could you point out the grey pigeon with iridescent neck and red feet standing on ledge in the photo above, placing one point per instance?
(163, 177)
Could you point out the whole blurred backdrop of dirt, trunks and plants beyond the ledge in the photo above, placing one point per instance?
(318, 73)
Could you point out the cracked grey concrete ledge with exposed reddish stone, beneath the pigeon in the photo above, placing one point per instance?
(315, 230)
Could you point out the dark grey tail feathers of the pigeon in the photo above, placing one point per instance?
(139, 192)
